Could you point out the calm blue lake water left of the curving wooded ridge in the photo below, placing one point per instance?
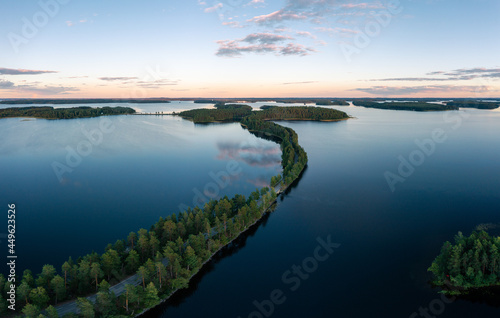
(146, 167)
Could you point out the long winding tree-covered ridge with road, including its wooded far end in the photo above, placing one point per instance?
(164, 258)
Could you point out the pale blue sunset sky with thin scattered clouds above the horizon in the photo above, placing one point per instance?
(249, 48)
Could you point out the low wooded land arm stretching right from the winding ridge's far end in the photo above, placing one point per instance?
(300, 113)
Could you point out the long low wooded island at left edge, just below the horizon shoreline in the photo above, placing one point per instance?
(47, 112)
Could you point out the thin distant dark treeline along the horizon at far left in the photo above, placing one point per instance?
(86, 101)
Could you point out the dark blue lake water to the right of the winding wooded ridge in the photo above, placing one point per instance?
(388, 240)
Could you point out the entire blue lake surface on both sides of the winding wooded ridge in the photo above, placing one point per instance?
(148, 166)
